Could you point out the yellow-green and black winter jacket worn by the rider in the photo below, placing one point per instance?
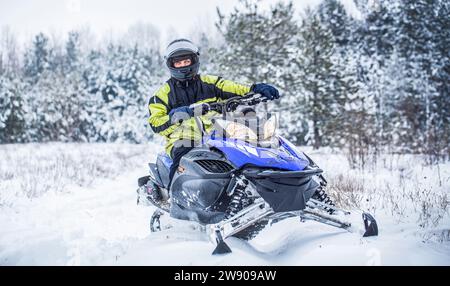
(173, 94)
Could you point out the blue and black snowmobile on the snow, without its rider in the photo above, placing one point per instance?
(243, 177)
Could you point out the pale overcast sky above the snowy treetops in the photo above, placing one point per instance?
(27, 17)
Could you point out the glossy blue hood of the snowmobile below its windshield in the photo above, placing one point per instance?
(241, 153)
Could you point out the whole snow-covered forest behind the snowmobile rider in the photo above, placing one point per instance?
(372, 83)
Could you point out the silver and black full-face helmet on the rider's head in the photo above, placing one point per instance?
(178, 50)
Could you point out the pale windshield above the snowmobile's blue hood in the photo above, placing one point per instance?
(251, 129)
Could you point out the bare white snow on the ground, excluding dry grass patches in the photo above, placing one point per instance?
(99, 223)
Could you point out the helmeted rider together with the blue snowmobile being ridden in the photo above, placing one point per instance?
(241, 176)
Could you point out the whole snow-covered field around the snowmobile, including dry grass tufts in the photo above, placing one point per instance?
(75, 204)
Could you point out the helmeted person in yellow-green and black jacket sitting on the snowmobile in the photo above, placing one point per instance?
(170, 113)
